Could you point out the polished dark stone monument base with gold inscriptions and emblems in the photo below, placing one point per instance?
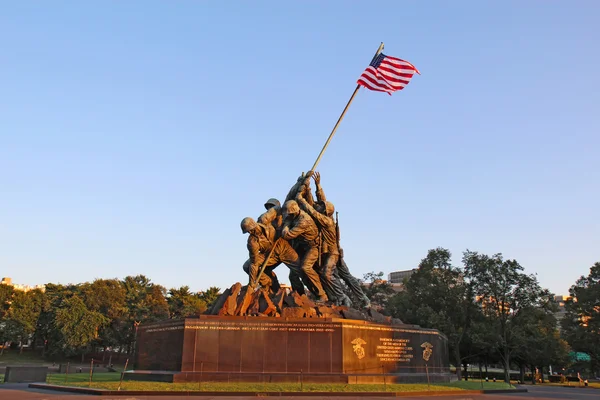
(270, 349)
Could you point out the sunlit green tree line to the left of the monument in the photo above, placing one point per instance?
(68, 320)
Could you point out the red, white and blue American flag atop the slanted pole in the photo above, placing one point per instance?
(387, 74)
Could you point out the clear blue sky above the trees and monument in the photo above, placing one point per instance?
(135, 136)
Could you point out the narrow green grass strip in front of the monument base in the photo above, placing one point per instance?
(110, 380)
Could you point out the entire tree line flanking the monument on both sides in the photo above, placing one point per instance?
(490, 310)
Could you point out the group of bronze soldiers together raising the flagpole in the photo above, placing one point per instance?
(304, 236)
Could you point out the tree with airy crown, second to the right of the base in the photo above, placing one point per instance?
(503, 293)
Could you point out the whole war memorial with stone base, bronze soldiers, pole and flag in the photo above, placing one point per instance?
(323, 329)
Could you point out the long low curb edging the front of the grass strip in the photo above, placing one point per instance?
(100, 392)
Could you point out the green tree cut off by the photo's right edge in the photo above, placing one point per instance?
(581, 323)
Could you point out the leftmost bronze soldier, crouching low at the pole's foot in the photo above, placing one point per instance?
(261, 240)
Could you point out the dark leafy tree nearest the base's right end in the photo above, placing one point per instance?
(437, 296)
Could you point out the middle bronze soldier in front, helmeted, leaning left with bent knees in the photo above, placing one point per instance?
(300, 227)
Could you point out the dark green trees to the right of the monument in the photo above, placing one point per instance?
(493, 312)
